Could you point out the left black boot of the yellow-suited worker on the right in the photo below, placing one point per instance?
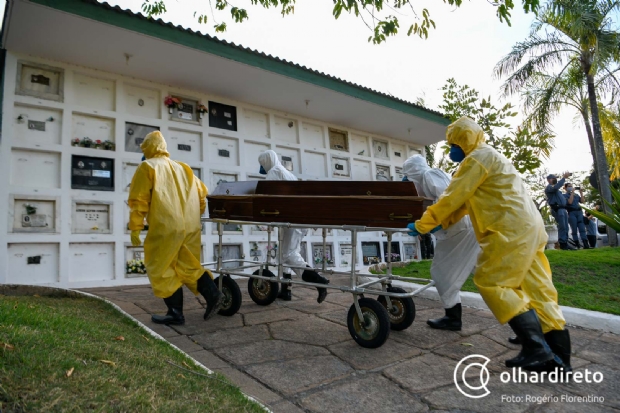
(535, 352)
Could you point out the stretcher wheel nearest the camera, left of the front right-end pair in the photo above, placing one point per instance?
(374, 329)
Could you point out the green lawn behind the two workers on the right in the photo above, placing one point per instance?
(588, 279)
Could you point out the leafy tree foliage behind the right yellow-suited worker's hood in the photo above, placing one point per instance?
(525, 147)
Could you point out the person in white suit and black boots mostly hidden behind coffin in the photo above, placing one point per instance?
(291, 244)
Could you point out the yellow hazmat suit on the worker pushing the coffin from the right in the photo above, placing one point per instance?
(512, 272)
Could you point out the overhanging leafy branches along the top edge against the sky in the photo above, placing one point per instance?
(382, 17)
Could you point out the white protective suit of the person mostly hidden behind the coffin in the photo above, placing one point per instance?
(291, 243)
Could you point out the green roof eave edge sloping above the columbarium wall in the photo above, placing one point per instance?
(91, 9)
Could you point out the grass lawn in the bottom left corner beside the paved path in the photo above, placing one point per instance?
(80, 354)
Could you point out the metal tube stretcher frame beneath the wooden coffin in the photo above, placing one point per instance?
(378, 284)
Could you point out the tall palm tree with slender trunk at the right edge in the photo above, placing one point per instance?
(577, 33)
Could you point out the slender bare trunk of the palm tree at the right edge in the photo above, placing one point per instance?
(600, 161)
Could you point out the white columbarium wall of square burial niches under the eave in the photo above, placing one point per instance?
(79, 237)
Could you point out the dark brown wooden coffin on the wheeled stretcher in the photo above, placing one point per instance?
(365, 203)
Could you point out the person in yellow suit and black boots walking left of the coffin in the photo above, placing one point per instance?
(172, 199)
